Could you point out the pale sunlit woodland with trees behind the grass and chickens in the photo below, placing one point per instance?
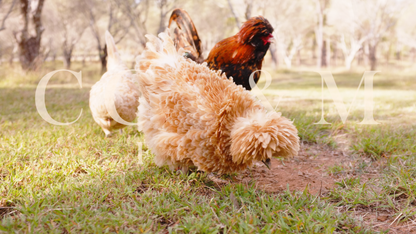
(350, 34)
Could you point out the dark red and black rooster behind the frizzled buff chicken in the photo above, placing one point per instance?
(238, 56)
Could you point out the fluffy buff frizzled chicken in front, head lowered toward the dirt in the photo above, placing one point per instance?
(193, 116)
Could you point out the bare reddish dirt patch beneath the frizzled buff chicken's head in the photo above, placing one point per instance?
(311, 168)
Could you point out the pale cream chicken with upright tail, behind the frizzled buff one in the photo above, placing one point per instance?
(115, 97)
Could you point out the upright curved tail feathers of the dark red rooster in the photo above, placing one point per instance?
(185, 35)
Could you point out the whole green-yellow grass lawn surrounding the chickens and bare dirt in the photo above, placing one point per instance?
(71, 179)
